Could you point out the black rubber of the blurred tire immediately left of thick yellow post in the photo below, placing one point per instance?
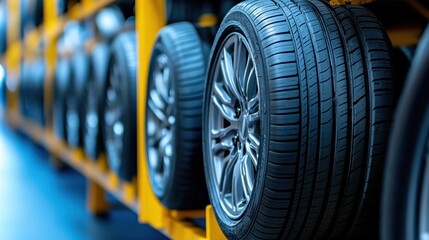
(124, 56)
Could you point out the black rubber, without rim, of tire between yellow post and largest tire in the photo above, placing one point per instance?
(187, 54)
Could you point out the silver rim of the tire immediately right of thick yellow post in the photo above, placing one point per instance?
(160, 123)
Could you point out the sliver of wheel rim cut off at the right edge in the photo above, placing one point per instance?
(423, 212)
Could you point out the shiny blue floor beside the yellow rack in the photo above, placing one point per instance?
(38, 202)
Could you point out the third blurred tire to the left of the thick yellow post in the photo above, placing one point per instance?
(75, 99)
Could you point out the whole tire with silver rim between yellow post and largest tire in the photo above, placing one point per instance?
(174, 117)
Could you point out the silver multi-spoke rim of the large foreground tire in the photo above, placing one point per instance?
(234, 124)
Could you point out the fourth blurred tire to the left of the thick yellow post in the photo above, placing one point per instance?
(61, 87)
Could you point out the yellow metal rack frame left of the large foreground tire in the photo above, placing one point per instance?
(137, 195)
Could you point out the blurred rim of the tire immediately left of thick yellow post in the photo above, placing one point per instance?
(113, 118)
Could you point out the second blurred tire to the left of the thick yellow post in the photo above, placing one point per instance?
(94, 95)
